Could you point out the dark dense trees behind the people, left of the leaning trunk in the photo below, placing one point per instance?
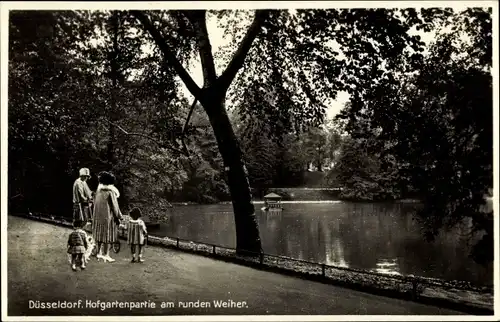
(74, 102)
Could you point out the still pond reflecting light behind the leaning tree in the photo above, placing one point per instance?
(377, 237)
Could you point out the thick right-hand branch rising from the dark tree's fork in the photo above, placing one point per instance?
(239, 57)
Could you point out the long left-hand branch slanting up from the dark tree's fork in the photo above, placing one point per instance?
(165, 49)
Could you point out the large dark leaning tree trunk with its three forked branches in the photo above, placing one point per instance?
(212, 97)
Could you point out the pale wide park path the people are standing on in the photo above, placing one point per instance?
(38, 270)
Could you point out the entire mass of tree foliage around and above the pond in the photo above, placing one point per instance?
(102, 90)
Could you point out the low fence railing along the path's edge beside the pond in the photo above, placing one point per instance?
(415, 286)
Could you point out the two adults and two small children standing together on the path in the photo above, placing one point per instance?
(101, 210)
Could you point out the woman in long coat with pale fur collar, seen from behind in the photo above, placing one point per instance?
(107, 215)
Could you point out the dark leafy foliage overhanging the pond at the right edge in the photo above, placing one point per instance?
(435, 122)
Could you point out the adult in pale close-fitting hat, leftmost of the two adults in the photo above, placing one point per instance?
(82, 197)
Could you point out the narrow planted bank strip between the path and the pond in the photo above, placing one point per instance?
(466, 298)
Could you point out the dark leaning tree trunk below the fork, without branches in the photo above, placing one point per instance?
(247, 228)
